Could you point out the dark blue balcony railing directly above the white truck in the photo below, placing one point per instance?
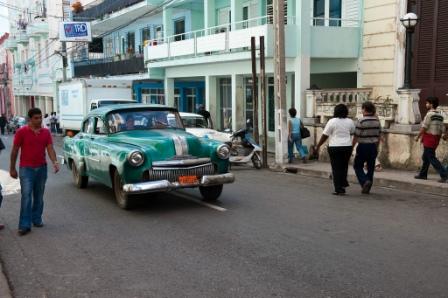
(111, 66)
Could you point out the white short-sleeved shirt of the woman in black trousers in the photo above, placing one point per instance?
(339, 131)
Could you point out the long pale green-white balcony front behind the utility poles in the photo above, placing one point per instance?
(326, 41)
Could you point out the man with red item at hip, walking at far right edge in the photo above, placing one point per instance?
(430, 134)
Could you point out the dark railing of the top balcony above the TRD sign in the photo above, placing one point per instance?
(104, 8)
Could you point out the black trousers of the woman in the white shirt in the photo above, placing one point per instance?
(339, 158)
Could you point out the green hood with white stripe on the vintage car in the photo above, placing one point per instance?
(162, 144)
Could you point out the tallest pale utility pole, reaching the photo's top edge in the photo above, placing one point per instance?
(281, 134)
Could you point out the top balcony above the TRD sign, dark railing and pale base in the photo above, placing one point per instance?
(115, 13)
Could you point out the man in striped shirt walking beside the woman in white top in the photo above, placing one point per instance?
(367, 135)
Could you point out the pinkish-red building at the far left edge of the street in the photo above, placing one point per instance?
(6, 75)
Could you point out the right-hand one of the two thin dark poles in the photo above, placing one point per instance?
(264, 145)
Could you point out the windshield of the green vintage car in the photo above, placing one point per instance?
(127, 120)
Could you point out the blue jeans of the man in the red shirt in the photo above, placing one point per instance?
(32, 182)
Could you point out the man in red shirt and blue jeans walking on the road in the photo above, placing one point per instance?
(33, 141)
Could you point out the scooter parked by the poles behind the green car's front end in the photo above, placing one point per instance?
(244, 149)
